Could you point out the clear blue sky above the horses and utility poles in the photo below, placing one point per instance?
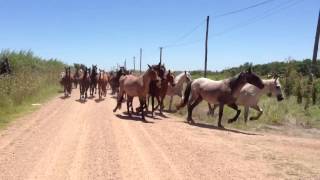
(106, 32)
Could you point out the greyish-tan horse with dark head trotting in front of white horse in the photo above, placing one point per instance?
(223, 92)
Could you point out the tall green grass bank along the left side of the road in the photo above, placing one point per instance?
(33, 79)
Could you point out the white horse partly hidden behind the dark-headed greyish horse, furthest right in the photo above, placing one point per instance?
(250, 95)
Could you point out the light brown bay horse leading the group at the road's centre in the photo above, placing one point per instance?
(136, 86)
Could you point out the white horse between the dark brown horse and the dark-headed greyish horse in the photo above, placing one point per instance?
(176, 90)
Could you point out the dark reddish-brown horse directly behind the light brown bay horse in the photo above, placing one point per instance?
(159, 92)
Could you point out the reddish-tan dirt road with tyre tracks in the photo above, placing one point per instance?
(67, 139)
